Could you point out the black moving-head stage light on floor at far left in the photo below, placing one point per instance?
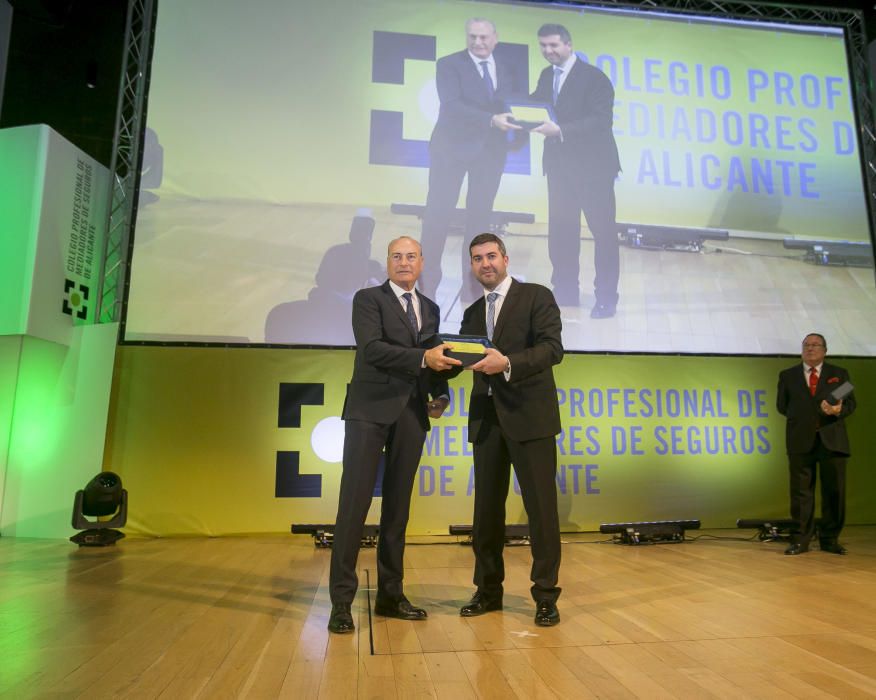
(102, 496)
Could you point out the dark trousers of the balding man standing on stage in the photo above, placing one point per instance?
(364, 444)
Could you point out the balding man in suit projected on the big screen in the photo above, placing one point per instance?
(468, 139)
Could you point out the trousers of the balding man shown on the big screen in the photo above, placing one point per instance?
(446, 174)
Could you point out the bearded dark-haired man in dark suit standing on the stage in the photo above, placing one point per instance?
(514, 418)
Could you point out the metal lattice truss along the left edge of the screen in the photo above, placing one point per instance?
(126, 158)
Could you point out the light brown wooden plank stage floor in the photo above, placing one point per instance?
(718, 616)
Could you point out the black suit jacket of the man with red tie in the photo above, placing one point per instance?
(805, 418)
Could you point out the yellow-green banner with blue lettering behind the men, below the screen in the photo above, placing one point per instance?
(218, 441)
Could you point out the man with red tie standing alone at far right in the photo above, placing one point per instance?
(815, 435)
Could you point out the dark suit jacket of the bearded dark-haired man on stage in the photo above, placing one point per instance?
(529, 332)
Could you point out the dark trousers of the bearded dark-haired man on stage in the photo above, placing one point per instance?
(535, 464)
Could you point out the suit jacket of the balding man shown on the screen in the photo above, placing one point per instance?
(463, 128)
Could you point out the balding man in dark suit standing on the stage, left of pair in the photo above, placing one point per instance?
(386, 409)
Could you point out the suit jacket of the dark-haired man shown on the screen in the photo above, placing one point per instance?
(584, 111)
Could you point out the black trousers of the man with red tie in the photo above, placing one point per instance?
(802, 471)
